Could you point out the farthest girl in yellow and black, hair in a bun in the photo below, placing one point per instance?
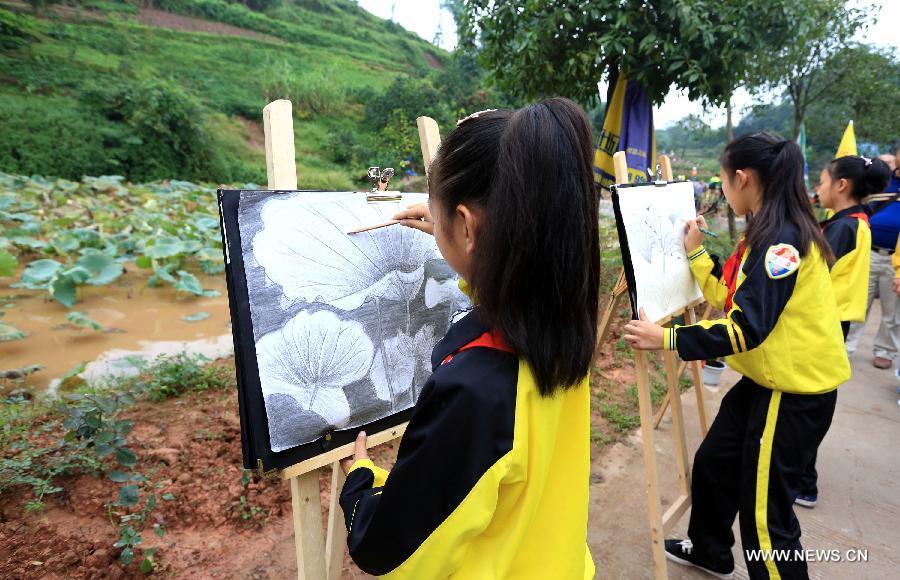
(843, 185)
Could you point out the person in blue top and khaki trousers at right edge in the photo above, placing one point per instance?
(885, 225)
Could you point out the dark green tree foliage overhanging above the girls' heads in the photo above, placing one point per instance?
(536, 48)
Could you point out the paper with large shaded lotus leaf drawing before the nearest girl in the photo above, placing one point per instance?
(343, 324)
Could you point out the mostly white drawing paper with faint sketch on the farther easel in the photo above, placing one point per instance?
(654, 219)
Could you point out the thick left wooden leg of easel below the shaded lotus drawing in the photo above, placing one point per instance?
(306, 510)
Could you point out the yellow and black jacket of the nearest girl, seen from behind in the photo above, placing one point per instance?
(491, 479)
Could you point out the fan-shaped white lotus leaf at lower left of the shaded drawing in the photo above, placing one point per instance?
(311, 359)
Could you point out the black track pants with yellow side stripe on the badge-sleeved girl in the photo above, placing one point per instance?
(751, 462)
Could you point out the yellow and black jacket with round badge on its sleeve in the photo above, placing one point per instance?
(780, 318)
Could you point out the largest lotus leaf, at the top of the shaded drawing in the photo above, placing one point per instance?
(304, 248)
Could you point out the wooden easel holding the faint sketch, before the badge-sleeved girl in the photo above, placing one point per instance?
(662, 523)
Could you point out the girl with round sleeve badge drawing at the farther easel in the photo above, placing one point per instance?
(782, 332)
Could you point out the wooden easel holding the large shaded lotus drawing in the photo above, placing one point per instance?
(316, 561)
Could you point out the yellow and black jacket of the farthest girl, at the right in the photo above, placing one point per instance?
(850, 239)
